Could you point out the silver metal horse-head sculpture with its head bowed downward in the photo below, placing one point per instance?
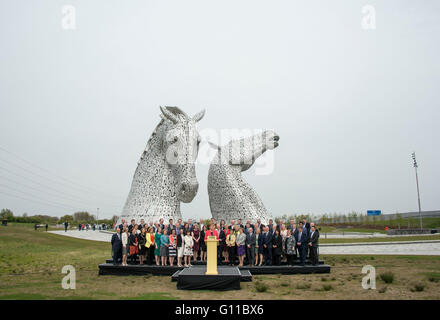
(165, 173)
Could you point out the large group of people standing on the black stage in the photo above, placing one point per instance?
(183, 243)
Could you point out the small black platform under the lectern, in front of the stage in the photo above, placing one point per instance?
(194, 278)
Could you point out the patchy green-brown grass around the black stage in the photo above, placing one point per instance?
(31, 263)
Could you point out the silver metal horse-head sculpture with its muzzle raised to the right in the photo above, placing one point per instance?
(230, 196)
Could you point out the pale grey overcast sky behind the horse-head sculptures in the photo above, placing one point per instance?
(350, 105)
